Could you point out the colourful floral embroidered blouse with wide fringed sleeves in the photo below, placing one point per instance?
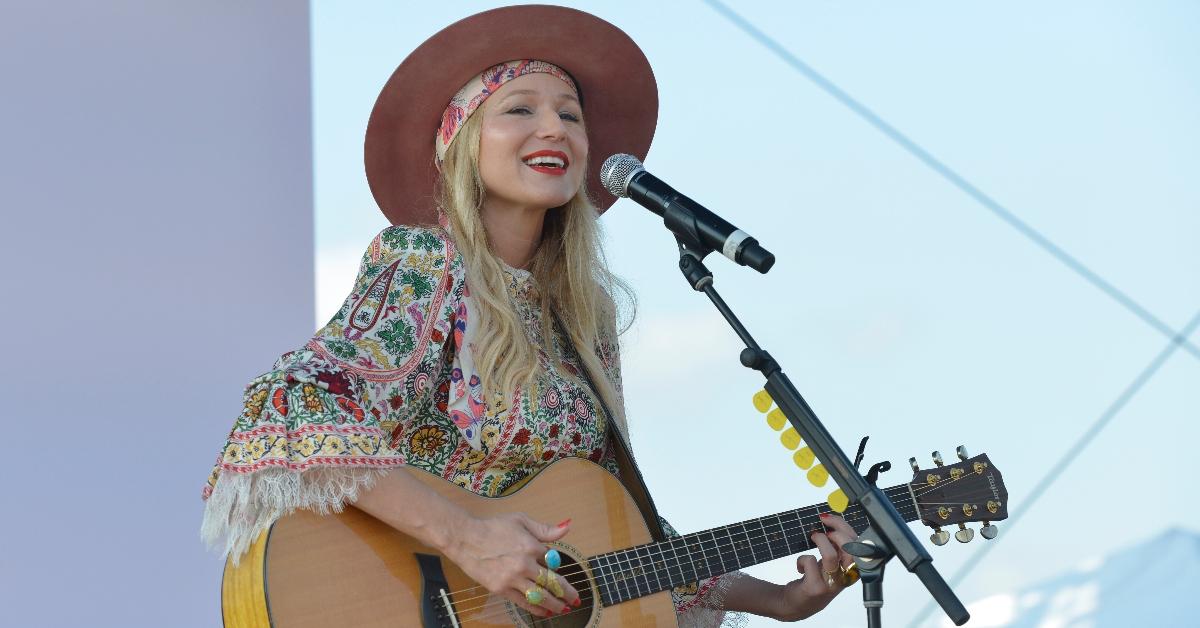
(391, 381)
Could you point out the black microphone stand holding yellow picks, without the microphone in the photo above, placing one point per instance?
(889, 536)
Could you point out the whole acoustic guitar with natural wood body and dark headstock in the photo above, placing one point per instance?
(350, 570)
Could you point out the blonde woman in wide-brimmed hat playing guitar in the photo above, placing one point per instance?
(466, 345)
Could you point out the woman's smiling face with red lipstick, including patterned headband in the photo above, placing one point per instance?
(533, 146)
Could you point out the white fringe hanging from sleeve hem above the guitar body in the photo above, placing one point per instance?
(244, 505)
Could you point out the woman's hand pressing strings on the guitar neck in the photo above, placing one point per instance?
(823, 581)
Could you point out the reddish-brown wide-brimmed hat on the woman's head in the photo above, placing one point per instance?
(617, 87)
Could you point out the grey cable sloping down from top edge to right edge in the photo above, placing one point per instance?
(956, 180)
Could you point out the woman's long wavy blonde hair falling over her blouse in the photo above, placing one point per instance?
(569, 270)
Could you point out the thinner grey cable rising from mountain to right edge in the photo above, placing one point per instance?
(1059, 468)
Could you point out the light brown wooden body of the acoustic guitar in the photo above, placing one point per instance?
(351, 570)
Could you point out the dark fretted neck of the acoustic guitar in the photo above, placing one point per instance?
(637, 572)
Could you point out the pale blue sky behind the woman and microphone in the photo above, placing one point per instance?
(986, 223)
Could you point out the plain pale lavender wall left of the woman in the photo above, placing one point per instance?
(157, 246)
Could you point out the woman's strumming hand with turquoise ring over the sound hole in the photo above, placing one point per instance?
(506, 554)
